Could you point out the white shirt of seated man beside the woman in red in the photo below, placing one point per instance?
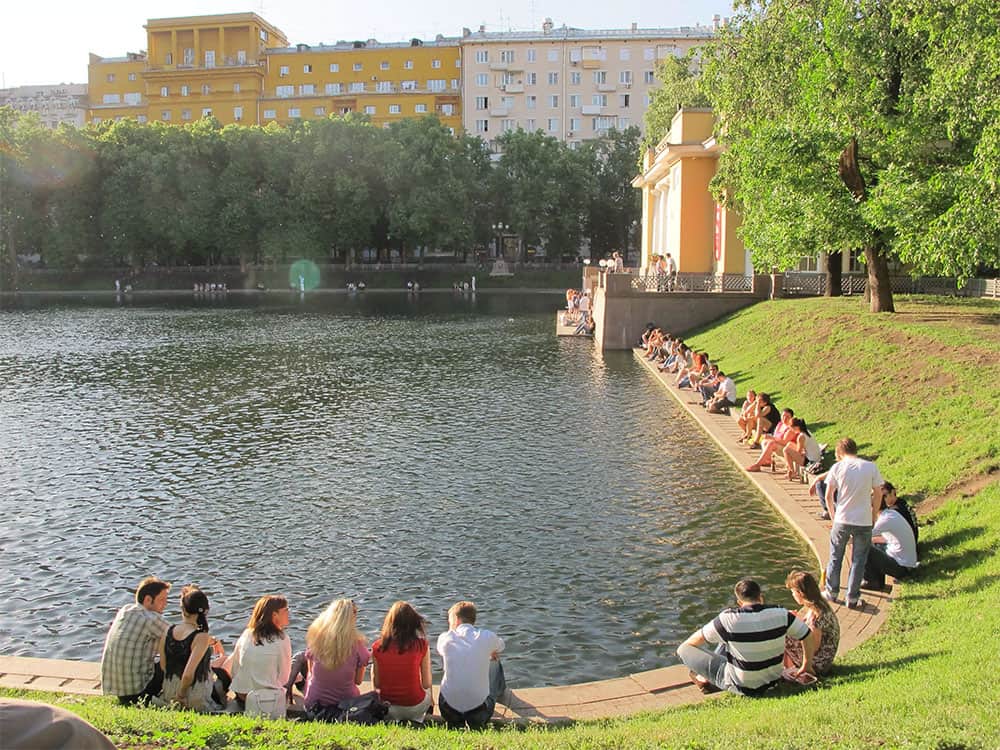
(466, 652)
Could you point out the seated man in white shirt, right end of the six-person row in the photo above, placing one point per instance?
(473, 677)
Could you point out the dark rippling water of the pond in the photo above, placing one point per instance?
(379, 446)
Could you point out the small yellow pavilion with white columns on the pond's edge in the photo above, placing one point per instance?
(679, 214)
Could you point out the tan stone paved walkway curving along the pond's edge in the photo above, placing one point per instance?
(644, 691)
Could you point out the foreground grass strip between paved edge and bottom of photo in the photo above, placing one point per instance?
(927, 681)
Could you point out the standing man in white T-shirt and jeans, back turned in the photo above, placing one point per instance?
(857, 486)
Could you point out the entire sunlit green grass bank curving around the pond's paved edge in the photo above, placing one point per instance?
(928, 680)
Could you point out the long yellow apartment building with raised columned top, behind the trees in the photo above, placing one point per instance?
(239, 68)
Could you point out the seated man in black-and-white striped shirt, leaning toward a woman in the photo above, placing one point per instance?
(750, 640)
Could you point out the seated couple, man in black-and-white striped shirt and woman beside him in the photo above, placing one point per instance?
(756, 644)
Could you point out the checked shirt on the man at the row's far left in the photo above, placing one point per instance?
(127, 662)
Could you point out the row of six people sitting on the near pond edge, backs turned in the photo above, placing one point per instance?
(146, 660)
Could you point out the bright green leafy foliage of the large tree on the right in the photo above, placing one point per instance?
(912, 82)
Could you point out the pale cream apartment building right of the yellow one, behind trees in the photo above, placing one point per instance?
(572, 84)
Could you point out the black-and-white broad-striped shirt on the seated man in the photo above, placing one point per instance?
(754, 637)
